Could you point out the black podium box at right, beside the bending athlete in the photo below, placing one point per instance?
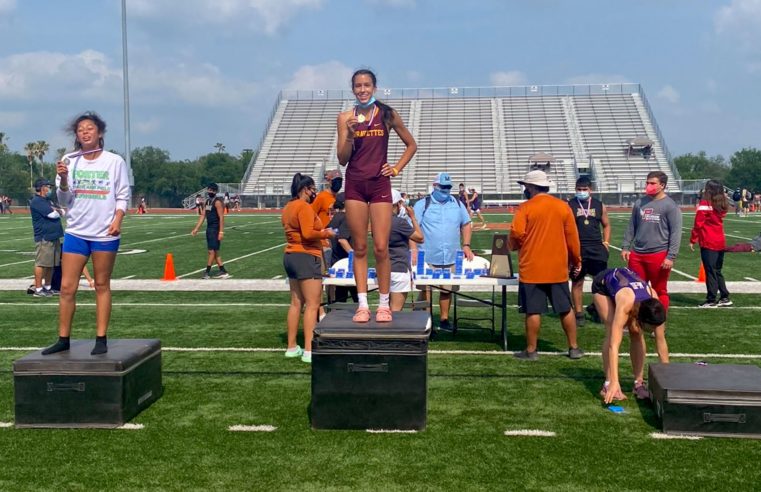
(707, 400)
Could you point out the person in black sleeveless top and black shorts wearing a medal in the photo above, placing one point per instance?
(591, 216)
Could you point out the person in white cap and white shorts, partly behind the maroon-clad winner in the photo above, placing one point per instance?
(405, 231)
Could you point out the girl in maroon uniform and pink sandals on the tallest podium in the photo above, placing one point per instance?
(363, 133)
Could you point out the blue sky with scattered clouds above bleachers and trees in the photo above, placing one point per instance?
(207, 71)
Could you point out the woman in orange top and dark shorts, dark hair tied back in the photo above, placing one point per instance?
(304, 233)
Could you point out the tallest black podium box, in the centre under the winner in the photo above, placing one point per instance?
(370, 375)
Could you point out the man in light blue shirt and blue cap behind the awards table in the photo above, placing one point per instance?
(444, 220)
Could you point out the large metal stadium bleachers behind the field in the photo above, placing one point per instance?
(481, 136)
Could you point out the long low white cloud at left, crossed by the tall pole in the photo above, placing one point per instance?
(92, 76)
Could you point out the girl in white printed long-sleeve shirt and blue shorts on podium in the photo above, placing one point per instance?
(93, 184)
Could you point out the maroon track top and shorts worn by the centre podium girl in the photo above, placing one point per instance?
(364, 181)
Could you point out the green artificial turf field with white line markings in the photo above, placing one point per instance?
(473, 398)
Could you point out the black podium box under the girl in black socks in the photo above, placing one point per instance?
(76, 389)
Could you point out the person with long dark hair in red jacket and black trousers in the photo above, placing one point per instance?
(708, 233)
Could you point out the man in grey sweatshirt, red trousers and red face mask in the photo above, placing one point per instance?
(652, 240)
